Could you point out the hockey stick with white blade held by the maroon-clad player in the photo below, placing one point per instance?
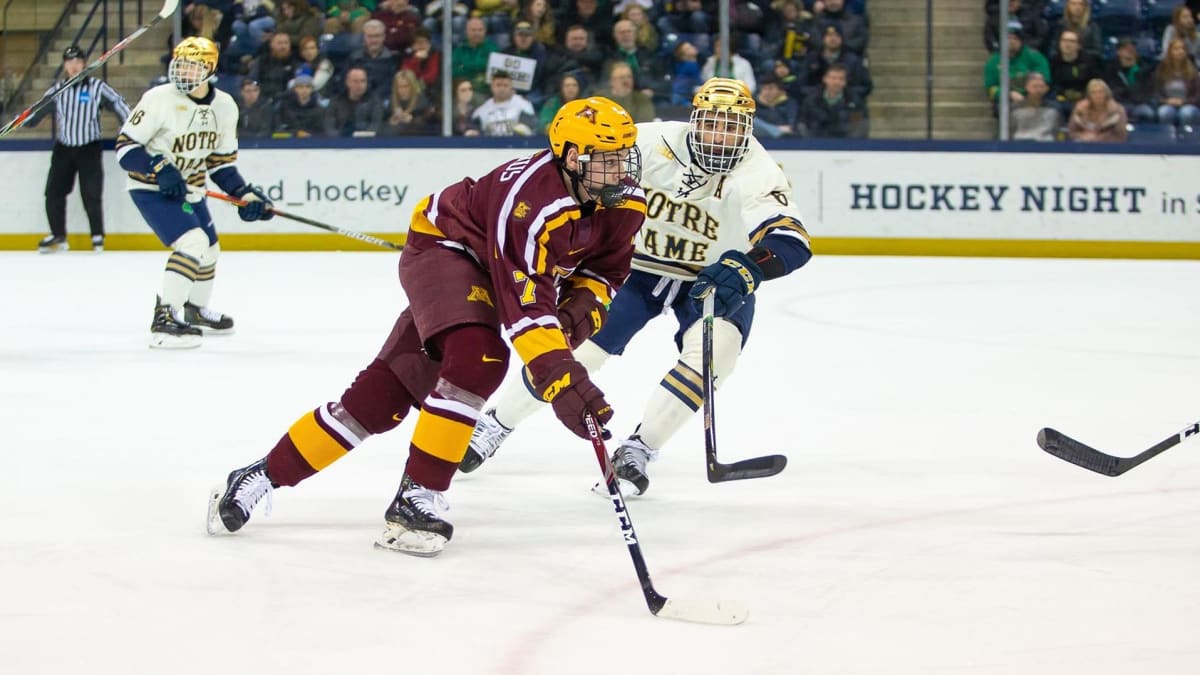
(715, 612)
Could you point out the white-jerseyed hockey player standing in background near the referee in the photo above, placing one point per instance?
(179, 135)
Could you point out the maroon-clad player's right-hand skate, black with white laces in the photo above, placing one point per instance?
(415, 522)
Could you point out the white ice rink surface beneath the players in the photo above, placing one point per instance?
(917, 530)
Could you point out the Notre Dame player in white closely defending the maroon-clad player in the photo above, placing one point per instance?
(719, 219)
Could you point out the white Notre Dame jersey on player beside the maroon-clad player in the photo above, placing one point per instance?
(692, 217)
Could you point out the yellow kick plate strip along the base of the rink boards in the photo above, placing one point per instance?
(821, 246)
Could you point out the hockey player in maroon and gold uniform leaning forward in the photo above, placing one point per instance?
(532, 252)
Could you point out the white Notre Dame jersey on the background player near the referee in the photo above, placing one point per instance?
(196, 138)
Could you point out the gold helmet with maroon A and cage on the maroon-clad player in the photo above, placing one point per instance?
(607, 139)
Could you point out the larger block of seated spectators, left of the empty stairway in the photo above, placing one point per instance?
(374, 68)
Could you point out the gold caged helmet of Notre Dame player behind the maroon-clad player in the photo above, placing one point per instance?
(722, 124)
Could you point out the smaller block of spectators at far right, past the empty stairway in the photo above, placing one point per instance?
(1097, 70)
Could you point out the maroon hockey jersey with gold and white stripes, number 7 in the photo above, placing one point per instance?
(524, 228)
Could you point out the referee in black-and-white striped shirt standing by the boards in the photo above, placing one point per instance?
(77, 152)
